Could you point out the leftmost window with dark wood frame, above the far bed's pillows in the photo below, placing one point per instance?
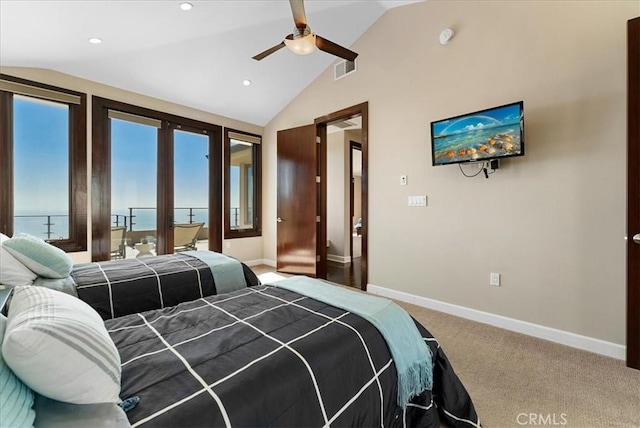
(43, 163)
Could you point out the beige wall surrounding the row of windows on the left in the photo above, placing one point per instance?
(250, 250)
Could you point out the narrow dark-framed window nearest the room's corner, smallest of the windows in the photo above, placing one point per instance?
(242, 184)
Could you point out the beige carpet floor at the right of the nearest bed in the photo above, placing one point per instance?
(520, 381)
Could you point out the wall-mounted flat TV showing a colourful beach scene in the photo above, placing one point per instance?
(479, 136)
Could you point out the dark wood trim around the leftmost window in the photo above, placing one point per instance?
(77, 240)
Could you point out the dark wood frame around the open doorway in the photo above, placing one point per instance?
(321, 123)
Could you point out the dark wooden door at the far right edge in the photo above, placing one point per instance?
(633, 195)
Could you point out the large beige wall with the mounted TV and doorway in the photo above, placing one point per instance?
(553, 222)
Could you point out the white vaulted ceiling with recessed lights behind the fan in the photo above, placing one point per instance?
(198, 58)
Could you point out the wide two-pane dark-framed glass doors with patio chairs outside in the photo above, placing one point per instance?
(152, 171)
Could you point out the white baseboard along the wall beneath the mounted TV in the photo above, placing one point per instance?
(585, 343)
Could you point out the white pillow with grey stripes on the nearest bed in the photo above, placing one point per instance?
(59, 346)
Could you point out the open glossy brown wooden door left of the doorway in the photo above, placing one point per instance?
(297, 200)
